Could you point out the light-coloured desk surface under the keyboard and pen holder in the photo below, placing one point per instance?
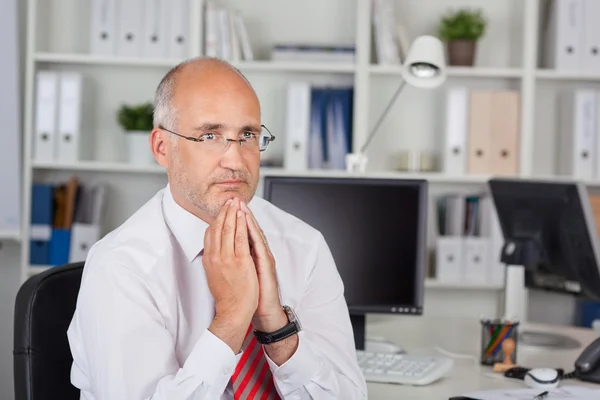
(420, 334)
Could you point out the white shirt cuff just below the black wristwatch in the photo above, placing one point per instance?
(298, 370)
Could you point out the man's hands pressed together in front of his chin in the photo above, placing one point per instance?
(240, 271)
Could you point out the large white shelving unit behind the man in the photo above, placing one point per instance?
(507, 58)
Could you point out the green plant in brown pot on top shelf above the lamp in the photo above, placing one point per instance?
(461, 30)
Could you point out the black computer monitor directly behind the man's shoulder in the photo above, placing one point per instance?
(376, 231)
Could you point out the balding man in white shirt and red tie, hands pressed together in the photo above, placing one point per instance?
(199, 293)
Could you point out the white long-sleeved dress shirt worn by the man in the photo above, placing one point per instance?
(140, 329)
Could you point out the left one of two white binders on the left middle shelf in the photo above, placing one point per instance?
(46, 105)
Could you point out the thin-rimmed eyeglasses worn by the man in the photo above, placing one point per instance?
(216, 142)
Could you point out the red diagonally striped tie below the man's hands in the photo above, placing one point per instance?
(252, 378)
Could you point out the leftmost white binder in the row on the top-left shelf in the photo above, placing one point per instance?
(103, 27)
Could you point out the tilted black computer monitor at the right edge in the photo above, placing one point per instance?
(549, 229)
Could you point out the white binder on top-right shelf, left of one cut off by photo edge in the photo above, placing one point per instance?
(564, 36)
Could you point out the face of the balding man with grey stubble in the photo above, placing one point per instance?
(218, 103)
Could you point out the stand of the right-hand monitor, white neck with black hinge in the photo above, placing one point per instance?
(517, 254)
